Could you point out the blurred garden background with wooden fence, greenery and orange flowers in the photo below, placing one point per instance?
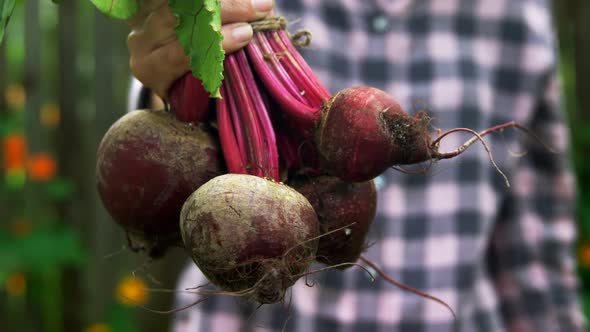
(64, 78)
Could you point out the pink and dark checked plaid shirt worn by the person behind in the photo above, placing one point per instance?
(501, 257)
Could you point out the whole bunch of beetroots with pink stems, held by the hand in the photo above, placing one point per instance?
(259, 184)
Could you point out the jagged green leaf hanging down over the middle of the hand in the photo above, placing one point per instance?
(199, 33)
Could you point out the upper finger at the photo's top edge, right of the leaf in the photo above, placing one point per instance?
(244, 10)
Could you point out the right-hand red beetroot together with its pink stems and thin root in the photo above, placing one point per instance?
(358, 133)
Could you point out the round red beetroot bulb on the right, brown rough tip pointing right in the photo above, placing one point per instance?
(362, 132)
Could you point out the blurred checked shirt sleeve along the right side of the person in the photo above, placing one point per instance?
(531, 247)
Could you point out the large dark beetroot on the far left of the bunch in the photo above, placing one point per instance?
(148, 163)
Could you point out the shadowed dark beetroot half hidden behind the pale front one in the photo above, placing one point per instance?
(339, 204)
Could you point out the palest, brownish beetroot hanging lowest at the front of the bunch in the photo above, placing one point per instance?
(248, 233)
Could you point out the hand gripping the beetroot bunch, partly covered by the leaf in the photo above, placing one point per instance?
(156, 57)
